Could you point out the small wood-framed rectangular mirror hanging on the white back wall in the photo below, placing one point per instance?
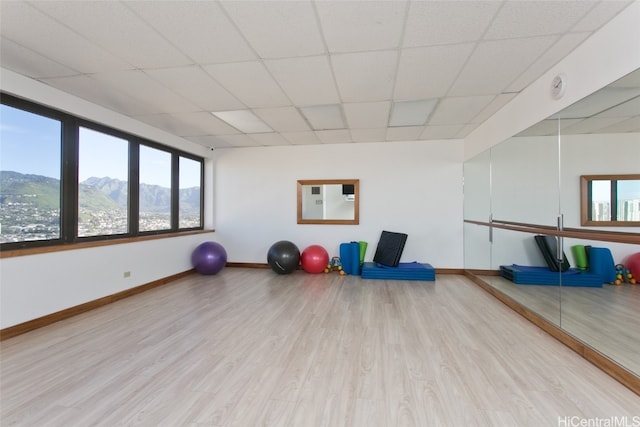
(329, 201)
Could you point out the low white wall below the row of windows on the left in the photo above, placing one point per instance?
(36, 285)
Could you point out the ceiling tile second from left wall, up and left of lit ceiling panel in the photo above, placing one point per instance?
(140, 86)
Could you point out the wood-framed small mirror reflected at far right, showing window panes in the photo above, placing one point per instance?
(610, 200)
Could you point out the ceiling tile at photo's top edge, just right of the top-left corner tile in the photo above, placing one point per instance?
(117, 29)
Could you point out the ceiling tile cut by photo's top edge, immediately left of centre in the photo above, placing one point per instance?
(277, 29)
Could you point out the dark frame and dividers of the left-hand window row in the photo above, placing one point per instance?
(69, 185)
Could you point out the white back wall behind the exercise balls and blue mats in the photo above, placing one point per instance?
(409, 187)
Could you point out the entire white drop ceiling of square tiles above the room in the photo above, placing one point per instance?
(299, 72)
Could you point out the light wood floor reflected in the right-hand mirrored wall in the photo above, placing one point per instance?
(607, 318)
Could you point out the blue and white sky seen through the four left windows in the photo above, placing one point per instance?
(30, 143)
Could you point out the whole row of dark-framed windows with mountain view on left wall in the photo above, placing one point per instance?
(64, 179)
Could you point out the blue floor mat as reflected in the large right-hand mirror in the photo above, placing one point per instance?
(528, 275)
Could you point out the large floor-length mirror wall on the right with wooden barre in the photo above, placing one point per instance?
(535, 179)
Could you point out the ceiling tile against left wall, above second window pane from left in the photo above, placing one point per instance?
(91, 90)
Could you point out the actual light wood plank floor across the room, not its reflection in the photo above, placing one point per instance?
(248, 347)
